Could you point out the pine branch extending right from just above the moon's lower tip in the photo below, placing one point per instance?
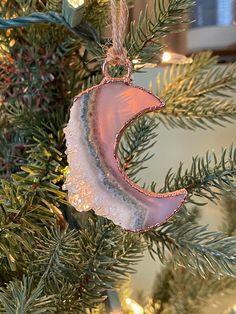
(208, 176)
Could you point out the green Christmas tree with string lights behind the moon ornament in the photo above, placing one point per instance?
(54, 259)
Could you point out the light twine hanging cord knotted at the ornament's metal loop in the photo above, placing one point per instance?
(117, 54)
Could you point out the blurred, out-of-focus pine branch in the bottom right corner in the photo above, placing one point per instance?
(175, 289)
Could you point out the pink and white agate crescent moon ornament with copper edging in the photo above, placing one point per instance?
(98, 118)
